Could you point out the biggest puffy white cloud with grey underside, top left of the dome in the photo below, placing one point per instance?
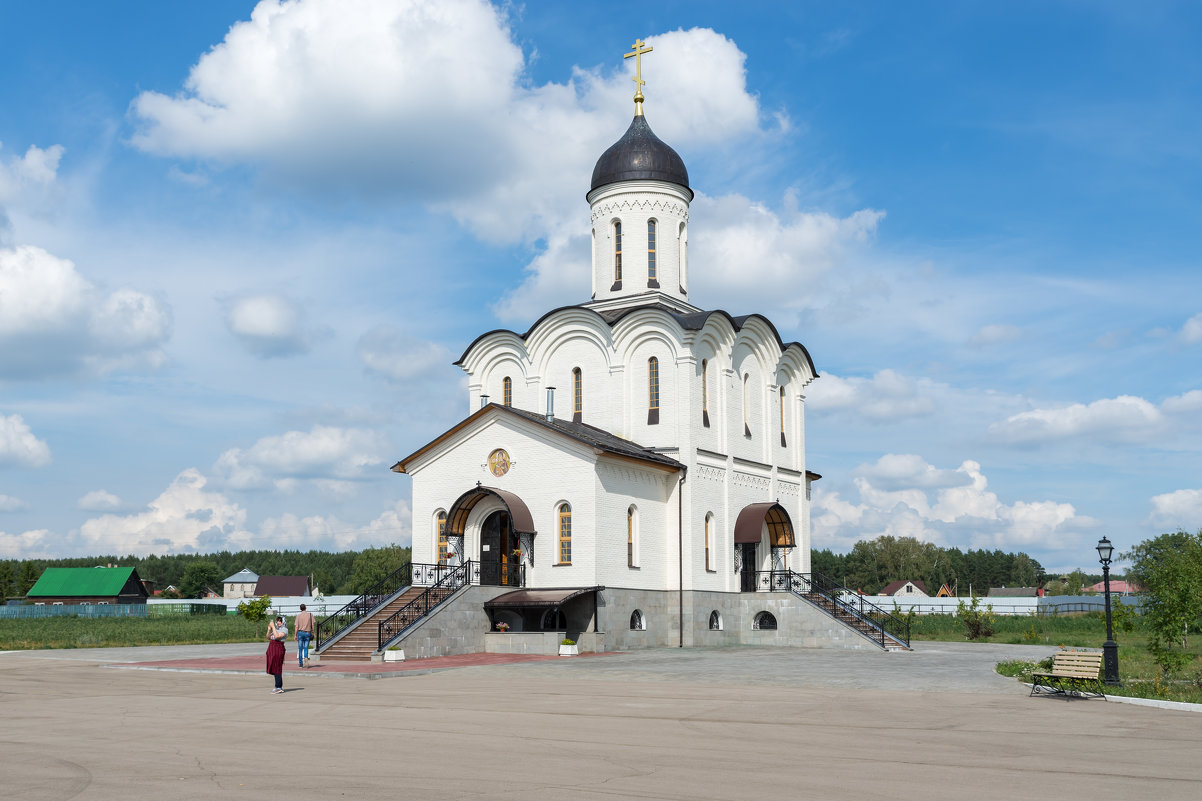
(354, 91)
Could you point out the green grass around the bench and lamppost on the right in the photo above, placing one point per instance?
(1139, 673)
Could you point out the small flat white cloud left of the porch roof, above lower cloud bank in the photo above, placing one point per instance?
(322, 454)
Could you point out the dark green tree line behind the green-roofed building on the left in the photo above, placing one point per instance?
(336, 574)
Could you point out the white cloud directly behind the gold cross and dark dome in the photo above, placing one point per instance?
(556, 133)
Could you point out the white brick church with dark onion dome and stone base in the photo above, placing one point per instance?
(634, 464)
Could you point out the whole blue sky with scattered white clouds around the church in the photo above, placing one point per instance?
(241, 246)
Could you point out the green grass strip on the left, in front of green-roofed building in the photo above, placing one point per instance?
(26, 634)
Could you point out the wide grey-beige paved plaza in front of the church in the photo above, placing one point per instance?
(689, 725)
